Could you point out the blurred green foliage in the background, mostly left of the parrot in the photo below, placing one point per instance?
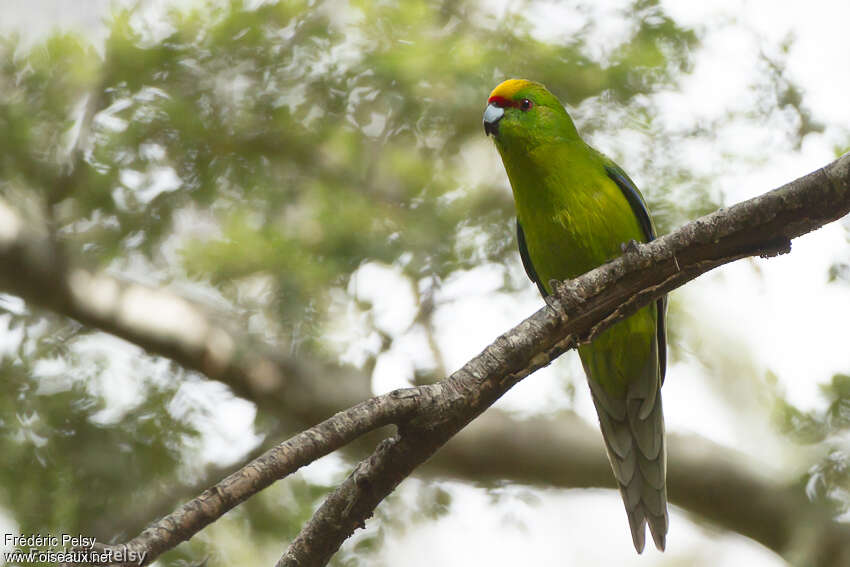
(289, 142)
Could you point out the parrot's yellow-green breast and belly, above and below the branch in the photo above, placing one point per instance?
(574, 217)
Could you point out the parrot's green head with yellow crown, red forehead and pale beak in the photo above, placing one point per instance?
(524, 113)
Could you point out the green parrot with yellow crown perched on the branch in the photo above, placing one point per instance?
(576, 209)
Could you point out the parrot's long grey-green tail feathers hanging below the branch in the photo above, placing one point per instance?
(633, 430)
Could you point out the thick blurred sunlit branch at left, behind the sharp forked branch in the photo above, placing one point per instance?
(166, 324)
